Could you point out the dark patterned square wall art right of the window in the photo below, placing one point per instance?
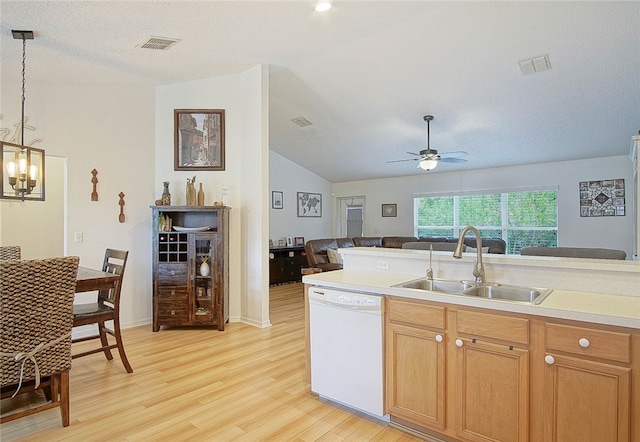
(602, 198)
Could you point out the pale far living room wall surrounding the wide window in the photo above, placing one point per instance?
(573, 230)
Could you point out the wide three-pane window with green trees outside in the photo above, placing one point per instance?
(522, 219)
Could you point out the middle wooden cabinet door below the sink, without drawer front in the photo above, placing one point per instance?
(493, 391)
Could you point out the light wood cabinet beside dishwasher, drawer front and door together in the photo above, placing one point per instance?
(415, 342)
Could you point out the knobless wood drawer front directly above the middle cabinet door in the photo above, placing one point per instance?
(505, 328)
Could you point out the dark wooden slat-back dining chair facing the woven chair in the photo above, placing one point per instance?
(106, 308)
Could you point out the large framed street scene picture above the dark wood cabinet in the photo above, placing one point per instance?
(198, 139)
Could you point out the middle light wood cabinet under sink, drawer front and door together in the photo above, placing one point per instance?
(492, 377)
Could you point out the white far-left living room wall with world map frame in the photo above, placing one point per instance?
(289, 178)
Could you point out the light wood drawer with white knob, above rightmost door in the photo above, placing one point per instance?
(586, 341)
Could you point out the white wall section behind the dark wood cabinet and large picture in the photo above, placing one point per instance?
(245, 175)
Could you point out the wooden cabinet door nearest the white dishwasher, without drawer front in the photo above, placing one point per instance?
(415, 375)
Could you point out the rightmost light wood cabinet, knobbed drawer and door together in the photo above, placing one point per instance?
(587, 384)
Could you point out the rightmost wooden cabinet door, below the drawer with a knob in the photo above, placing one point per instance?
(585, 401)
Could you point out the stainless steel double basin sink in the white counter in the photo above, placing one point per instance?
(486, 290)
